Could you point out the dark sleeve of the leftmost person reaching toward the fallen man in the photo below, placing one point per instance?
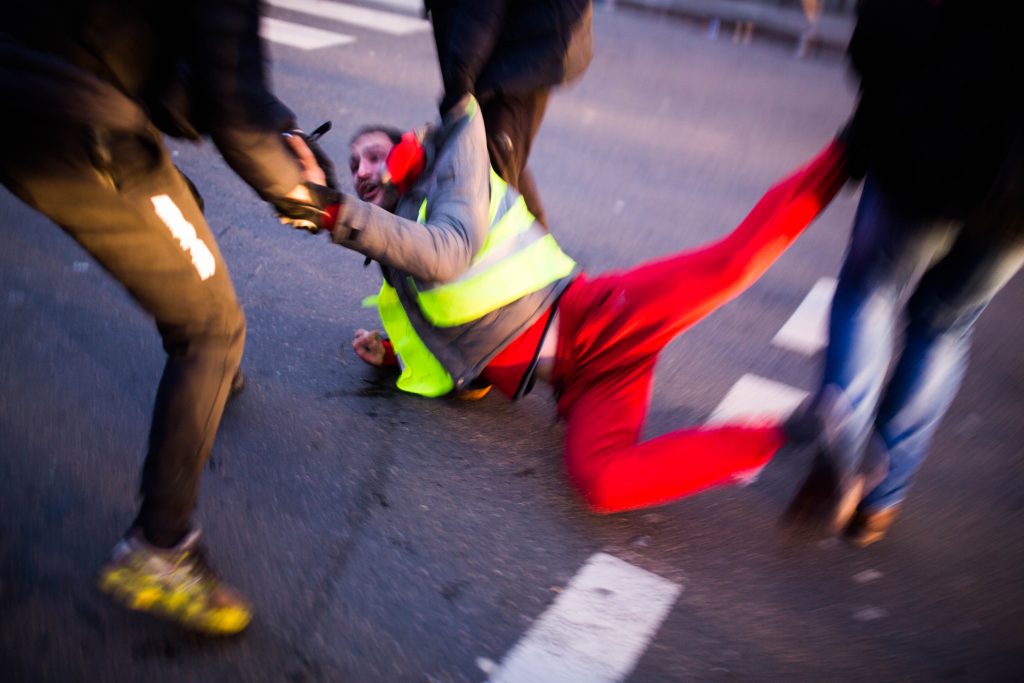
(242, 115)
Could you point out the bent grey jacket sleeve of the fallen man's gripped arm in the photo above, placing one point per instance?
(457, 188)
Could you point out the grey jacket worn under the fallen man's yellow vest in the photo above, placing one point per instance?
(456, 185)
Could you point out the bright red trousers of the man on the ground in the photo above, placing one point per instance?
(613, 328)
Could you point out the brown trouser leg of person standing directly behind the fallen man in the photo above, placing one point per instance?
(513, 122)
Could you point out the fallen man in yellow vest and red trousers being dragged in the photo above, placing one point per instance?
(475, 287)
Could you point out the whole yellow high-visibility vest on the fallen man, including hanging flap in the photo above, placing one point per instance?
(518, 259)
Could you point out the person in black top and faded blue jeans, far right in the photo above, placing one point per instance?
(937, 137)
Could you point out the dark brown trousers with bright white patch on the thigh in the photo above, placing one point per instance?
(119, 196)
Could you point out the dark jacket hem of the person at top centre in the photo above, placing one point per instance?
(489, 47)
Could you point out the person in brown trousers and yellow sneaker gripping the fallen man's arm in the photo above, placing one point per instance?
(87, 86)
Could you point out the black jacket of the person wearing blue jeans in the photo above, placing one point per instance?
(940, 117)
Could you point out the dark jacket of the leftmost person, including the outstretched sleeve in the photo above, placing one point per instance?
(191, 68)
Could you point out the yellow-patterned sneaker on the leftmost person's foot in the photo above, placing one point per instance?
(177, 584)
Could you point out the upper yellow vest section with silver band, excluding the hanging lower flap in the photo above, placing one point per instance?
(519, 258)
